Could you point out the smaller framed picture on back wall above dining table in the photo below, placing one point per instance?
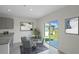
(25, 26)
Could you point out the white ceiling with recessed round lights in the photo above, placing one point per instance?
(34, 11)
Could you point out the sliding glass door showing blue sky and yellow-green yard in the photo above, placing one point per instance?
(52, 33)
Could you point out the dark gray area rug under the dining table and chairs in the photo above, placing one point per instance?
(38, 49)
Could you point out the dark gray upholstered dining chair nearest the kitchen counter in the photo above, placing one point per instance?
(26, 44)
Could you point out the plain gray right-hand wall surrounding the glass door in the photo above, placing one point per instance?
(68, 43)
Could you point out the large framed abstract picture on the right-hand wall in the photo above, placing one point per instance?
(71, 25)
